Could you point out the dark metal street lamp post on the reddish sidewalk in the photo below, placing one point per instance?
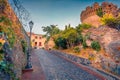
(29, 65)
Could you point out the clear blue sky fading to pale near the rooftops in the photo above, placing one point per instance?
(58, 12)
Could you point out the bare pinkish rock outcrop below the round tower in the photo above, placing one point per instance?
(109, 40)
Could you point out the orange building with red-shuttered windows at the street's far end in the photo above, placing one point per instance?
(37, 41)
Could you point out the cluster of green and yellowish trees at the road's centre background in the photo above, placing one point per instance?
(67, 38)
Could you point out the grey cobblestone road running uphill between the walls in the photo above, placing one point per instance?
(56, 68)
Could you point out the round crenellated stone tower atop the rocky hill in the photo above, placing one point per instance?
(89, 15)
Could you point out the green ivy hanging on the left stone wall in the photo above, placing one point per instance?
(7, 38)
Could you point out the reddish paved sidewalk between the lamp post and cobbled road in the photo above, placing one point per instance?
(37, 73)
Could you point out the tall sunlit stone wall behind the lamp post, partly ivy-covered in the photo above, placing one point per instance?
(11, 28)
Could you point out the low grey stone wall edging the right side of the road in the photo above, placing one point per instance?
(86, 63)
